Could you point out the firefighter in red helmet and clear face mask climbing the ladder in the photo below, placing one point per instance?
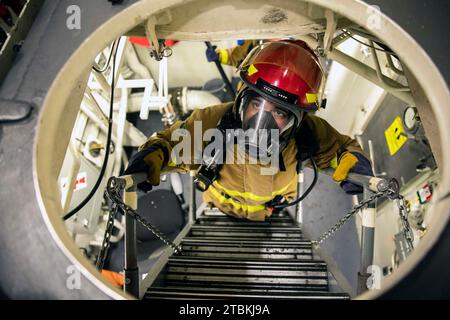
(282, 80)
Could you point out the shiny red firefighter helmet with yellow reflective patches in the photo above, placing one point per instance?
(286, 72)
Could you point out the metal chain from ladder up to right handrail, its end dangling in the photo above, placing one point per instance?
(391, 194)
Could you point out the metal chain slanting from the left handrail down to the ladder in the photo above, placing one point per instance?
(113, 193)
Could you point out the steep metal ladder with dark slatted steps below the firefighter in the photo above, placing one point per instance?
(228, 258)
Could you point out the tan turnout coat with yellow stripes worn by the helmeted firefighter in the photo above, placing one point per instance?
(241, 190)
